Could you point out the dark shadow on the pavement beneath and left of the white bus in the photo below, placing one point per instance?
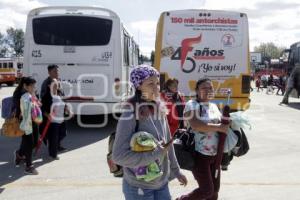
(77, 137)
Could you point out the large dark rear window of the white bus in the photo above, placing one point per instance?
(72, 31)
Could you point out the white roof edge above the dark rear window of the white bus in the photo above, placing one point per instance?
(77, 10)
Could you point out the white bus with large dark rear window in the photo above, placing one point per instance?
(93, 50)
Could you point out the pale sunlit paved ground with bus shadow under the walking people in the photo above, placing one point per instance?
(270, 171)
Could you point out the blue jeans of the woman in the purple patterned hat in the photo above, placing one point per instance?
(135, 193)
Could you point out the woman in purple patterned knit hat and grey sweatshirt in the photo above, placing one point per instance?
(145, 112)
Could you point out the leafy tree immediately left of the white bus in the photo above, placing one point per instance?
(15, 41)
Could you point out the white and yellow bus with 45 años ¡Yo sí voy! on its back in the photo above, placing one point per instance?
(191, 44)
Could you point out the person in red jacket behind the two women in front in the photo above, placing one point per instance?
(175, 103)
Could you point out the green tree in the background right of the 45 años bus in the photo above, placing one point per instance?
(269, 50)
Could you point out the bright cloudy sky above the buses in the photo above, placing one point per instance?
(274, 21)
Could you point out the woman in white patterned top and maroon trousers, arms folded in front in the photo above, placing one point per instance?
(204, 118)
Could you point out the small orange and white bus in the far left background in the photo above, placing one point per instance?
(10, 70)
